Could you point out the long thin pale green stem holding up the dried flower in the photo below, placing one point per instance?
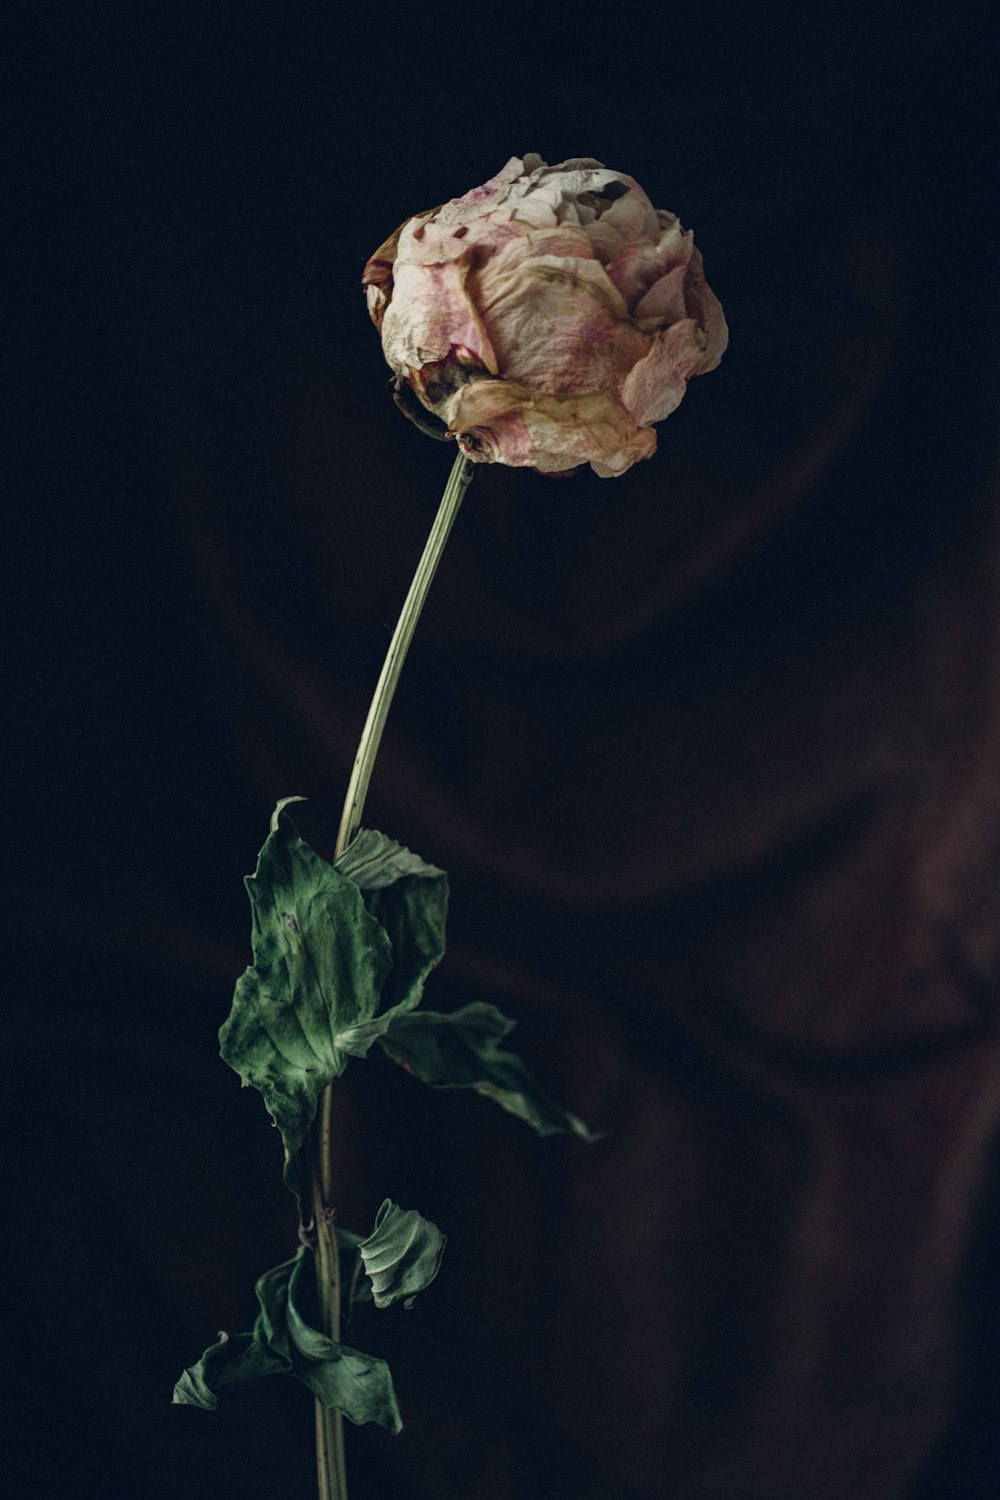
(331, 1471)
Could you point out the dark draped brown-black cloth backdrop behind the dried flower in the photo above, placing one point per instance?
(710, 754)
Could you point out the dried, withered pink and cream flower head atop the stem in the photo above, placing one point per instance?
(549, 319)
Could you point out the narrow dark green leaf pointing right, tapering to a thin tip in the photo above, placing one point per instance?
(461, 1051)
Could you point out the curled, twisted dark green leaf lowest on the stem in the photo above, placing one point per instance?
(286, 1342)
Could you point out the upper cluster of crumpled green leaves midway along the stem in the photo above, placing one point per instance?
(341, 956)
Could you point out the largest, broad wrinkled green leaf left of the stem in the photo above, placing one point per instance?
(320, 965)
